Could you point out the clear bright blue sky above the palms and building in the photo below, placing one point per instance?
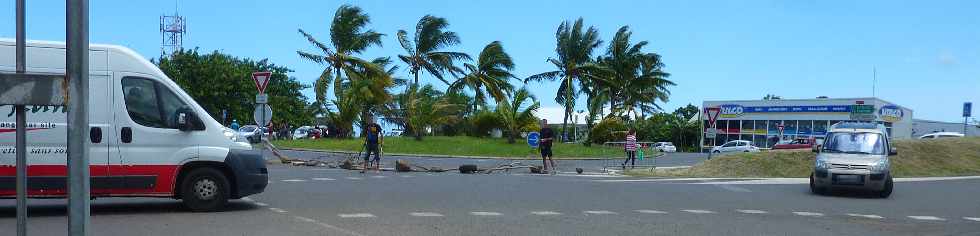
(927, 53)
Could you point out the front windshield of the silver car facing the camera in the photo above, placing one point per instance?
(854, 143)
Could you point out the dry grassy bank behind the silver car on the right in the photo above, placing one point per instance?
(916, 158)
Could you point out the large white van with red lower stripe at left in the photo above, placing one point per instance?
(138, 148)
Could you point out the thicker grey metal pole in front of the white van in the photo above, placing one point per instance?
(78, 125)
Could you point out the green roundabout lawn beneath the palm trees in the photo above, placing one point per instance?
(457, 146)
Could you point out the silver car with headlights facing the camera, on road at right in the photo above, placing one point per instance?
(854, 156)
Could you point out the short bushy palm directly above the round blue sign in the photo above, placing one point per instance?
(515, 114)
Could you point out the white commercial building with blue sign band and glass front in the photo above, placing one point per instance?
(759, 121)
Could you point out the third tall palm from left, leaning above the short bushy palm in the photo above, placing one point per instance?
(488, 77)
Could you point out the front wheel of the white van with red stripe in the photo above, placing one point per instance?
(204, 189)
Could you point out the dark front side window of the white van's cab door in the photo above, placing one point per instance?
(149, 103)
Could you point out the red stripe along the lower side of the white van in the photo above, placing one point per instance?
(165, 177)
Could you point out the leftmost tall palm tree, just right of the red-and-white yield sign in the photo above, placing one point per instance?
(347, 38)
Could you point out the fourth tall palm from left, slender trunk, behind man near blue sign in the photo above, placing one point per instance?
(574, 63)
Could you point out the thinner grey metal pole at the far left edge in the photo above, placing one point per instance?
(21, 120)
